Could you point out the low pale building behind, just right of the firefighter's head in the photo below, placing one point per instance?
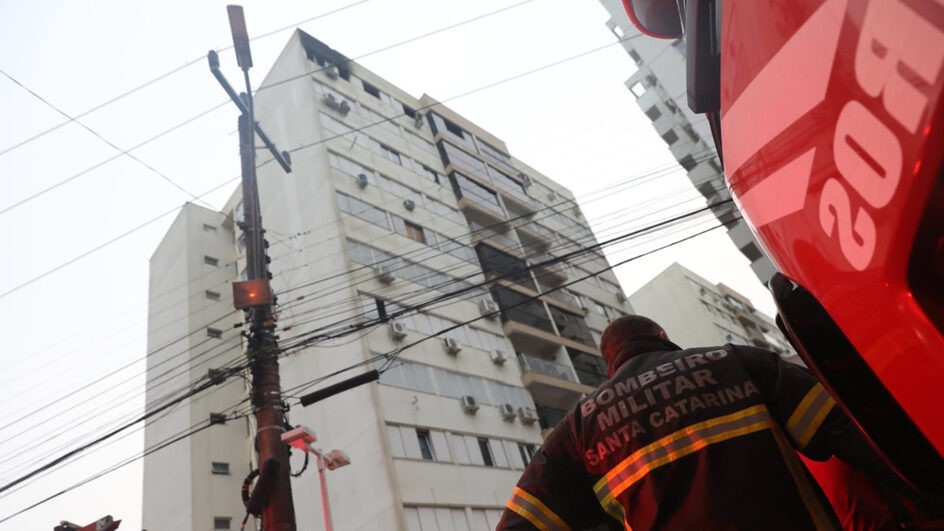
(695, 312)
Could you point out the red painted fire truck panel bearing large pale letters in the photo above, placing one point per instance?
(831, 119)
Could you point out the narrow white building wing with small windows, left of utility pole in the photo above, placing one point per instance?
(178, 479)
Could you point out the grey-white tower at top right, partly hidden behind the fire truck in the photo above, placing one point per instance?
(660, 90)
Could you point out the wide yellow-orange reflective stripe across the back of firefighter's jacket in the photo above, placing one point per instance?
(674, 446)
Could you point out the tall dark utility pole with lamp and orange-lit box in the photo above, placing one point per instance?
(254, 296)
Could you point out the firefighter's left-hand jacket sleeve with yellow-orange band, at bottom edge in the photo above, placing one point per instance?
(554, 492)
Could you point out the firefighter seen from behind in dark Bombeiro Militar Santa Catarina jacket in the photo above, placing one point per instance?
(702, 438)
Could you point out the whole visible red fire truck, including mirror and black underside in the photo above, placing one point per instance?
(828, 114)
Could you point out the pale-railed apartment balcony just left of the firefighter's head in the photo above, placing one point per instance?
(551, 383)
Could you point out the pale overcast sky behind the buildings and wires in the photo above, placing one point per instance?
(80, 220)
